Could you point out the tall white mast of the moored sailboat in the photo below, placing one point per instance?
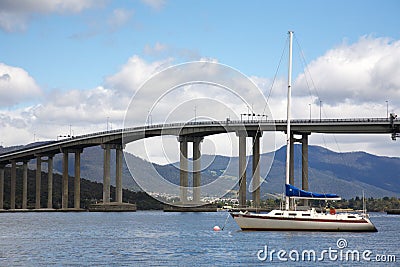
(288, 132)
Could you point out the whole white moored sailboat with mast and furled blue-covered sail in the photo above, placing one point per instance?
(309, 219)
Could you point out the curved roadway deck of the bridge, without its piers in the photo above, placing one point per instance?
(206, 128)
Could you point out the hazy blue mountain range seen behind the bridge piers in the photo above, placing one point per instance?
(346, 174)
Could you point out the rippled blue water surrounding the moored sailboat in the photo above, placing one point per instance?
(154, 238)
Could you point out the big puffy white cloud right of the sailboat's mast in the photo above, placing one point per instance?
(364, 72)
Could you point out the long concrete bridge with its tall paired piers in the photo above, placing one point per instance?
(193, 132)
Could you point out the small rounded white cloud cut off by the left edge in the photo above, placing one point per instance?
(16, 85)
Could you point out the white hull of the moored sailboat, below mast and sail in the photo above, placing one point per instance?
(299, 222)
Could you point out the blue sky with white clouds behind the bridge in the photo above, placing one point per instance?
(74, 66)
